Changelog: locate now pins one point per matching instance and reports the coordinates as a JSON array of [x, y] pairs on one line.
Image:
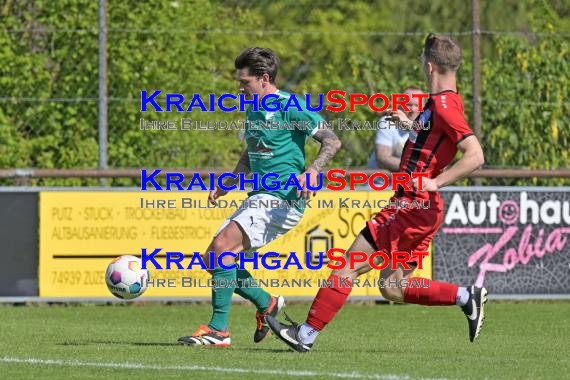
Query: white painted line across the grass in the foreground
[[77, 363]]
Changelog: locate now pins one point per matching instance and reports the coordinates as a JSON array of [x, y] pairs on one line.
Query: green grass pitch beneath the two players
[[519, 340]]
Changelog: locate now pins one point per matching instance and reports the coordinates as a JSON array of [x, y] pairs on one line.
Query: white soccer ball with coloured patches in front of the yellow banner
[[125, 277]]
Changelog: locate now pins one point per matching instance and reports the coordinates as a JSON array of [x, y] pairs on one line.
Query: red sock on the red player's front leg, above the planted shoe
[[328, 302]]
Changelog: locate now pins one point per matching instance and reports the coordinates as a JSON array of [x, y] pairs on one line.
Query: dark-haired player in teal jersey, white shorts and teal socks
[[269, 150]]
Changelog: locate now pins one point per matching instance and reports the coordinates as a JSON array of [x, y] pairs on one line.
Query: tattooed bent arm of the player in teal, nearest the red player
[[330, 145]]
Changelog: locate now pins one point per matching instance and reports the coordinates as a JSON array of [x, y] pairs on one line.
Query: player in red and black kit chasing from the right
[[428, 151]]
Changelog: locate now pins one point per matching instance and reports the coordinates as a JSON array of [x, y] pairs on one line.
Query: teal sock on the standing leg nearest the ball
[[222, 298]]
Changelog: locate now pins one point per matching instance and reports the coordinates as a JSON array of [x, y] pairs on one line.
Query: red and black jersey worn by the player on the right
[[431, 149]]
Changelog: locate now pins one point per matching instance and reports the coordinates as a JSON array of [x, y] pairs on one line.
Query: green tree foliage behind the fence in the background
[[49, 55]]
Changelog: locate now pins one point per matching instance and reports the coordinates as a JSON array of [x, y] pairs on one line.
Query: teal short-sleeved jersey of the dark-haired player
[[280, 148]]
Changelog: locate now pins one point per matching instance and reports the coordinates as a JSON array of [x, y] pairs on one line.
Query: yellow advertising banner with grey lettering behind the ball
[[82, 232]]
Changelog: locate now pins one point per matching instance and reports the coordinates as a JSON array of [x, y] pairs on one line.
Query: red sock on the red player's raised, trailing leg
[[436, 294]]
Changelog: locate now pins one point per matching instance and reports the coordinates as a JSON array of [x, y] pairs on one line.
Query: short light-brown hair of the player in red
[[442, 51]]
